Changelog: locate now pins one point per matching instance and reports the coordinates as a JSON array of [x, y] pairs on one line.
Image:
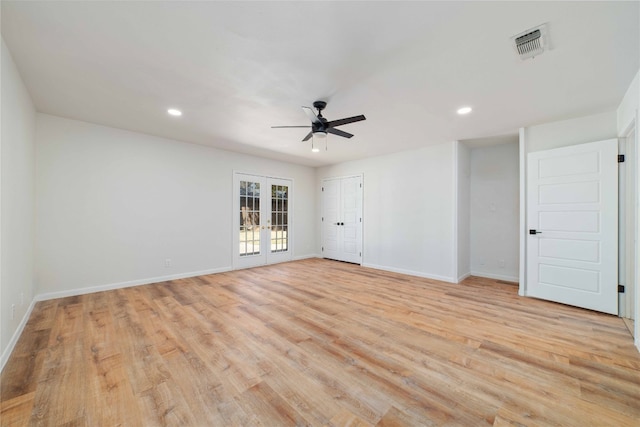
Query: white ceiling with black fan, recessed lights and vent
[[237, 68]]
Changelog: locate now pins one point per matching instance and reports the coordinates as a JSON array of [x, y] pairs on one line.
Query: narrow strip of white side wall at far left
[[17, 203]]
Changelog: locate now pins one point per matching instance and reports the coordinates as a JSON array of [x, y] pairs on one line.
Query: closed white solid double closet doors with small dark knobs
[[342, 219]]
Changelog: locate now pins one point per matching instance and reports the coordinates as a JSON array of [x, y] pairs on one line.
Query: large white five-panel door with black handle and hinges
[[572, 214]]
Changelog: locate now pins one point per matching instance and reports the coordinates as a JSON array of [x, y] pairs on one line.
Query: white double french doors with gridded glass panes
[[262, 220]]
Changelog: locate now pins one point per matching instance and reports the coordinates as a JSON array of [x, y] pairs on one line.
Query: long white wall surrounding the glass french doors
[[112, 205]]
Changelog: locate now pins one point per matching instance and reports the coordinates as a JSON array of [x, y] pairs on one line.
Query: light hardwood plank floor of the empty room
[[320, 342]]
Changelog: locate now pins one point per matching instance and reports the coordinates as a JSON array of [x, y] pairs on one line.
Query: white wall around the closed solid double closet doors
[[409, 204]]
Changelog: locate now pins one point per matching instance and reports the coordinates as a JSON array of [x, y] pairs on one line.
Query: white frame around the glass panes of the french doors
[[290, 231]]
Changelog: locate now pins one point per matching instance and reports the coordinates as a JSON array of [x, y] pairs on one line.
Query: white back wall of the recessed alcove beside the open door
[[495, 212]]
